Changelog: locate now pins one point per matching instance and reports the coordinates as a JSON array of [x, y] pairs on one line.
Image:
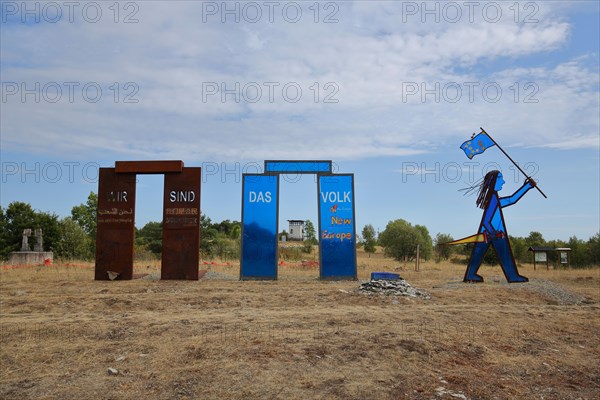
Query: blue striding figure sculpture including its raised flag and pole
[[492, 228]]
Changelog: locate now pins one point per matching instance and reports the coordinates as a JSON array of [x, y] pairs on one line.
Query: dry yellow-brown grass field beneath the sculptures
[[299, 338]]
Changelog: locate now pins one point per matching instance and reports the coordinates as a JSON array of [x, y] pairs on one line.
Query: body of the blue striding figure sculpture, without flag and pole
[[493, 228]]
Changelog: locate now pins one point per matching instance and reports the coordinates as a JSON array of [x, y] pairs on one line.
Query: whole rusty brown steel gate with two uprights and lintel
[[116, 219]]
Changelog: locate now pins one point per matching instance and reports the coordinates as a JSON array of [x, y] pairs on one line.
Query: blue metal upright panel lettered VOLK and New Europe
[[337, 233]]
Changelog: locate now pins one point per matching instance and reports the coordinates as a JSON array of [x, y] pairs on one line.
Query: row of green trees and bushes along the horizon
[[74, 237]]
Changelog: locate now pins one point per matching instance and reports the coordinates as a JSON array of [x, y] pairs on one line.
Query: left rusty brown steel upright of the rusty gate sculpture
[[115, 224]]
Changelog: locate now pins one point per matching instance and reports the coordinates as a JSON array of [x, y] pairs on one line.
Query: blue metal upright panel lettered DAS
[[260, 205]]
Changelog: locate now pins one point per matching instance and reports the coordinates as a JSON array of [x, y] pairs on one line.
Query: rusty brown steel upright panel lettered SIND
[[181, 225]]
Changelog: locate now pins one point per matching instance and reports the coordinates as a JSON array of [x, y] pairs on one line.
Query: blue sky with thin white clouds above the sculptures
[[386, 90]]
